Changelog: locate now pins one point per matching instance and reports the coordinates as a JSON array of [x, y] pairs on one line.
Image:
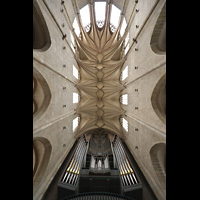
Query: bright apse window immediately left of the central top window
[[85, 17]]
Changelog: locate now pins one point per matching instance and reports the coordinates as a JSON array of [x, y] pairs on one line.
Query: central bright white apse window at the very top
[[100, 13]]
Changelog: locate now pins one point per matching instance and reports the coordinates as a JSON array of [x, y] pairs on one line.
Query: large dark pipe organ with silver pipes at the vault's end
[[99, 164]]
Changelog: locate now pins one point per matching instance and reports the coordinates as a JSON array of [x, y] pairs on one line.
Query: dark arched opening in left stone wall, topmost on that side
[[41, 37]]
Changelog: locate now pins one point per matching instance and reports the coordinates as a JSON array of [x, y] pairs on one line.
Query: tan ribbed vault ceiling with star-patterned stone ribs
[[99, 53]]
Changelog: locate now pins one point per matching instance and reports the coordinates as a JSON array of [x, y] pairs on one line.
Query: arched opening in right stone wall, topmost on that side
[[158, 39]]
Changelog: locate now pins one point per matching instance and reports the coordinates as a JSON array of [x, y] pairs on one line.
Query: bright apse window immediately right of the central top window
[[114, 18]]
